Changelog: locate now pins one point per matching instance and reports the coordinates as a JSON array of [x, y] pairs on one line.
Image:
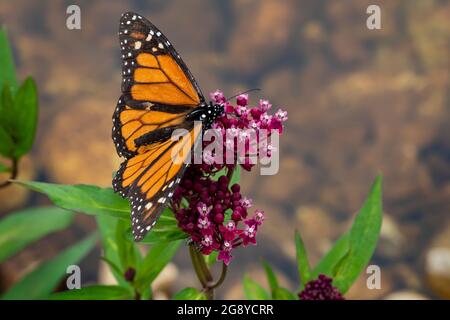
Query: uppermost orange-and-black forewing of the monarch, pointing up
[[152, 71]]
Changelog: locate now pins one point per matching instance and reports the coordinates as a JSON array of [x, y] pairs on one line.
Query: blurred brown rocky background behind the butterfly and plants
[[360, 102]]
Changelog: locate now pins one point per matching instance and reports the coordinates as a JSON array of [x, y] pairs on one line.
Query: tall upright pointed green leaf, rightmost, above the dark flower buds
[[363, 237]]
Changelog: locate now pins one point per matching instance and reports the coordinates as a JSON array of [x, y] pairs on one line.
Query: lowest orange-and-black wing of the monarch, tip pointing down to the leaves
[[148, 180]]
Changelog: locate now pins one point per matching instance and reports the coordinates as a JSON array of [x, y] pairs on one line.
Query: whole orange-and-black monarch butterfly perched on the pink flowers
[[159, 95]]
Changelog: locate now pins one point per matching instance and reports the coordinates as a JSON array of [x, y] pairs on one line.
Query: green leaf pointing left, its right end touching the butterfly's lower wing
[[83, 198]]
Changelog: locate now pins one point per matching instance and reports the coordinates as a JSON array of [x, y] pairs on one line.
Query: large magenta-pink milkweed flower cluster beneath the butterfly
[[207, 205]]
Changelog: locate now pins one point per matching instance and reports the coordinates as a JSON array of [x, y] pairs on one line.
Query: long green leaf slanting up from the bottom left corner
[[40, 282]]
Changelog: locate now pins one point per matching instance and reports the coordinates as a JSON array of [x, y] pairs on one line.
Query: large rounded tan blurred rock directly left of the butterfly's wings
[[84, 126]]
